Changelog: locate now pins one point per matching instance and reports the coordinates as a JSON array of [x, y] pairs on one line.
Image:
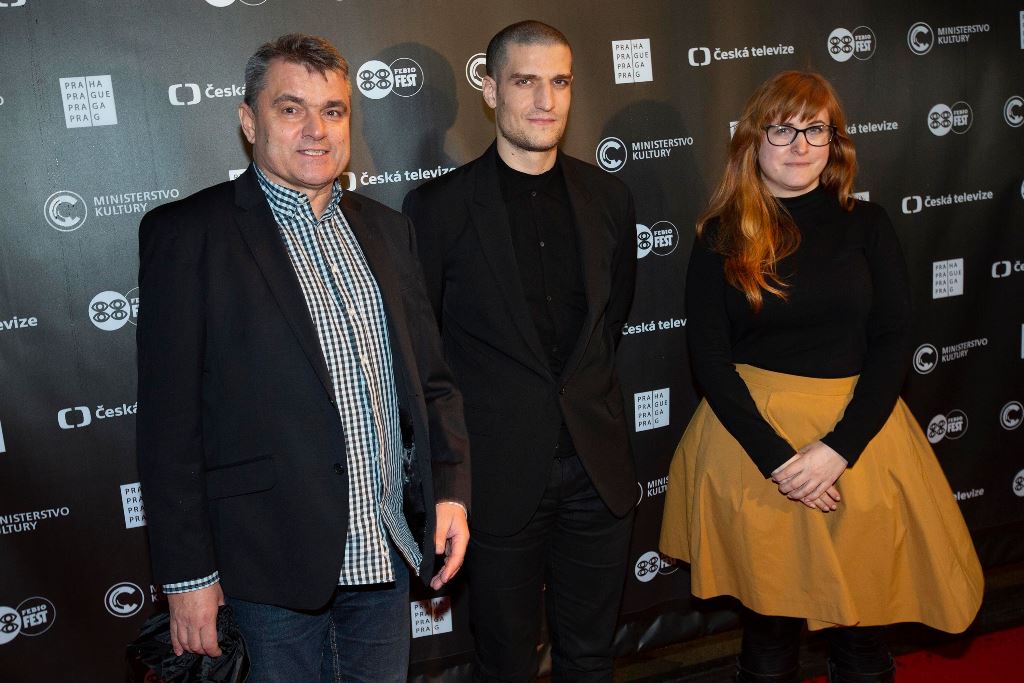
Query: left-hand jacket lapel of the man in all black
[[490, 218]]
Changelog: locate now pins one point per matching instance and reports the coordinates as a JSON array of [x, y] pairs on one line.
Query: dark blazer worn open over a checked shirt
[[241, 450]]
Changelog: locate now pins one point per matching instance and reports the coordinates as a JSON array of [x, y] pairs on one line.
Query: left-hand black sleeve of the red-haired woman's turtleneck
[[708, 334]]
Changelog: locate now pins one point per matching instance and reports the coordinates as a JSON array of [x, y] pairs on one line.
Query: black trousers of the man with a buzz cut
[[573, 554]]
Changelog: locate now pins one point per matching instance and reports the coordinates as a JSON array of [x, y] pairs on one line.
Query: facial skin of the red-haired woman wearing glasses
[[795, 169]]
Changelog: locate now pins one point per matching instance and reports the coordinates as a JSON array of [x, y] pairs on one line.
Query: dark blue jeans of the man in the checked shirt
[[363, 634]]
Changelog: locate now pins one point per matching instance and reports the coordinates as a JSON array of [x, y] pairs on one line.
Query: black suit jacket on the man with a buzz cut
[[515, 405]]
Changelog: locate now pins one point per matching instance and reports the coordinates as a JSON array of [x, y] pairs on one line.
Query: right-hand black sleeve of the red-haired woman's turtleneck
[[888, 338]]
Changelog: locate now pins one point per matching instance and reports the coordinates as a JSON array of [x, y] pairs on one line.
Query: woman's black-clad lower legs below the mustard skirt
[[772, 647]]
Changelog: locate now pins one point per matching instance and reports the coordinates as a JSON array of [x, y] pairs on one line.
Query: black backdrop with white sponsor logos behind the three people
[[109, 109]]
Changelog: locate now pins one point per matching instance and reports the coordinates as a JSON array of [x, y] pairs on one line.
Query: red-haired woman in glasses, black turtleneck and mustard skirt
[[803, 485]]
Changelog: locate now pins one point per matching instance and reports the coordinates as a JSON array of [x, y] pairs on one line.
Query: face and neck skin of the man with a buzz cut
[[531, 98]]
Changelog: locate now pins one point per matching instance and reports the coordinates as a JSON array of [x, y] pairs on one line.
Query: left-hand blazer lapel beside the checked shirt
[[261, 233]]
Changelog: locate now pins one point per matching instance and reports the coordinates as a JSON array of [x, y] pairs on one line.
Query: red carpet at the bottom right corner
[[994, 658]]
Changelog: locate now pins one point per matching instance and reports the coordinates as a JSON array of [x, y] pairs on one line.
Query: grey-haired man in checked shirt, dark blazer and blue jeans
[[302, 444]]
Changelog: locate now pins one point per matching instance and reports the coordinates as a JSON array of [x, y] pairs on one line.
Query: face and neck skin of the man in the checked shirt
[[300, 131]]
